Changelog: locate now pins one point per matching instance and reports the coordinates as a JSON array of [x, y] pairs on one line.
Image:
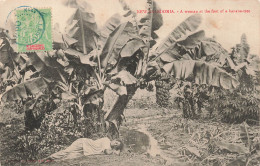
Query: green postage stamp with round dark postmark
[[34, 29]]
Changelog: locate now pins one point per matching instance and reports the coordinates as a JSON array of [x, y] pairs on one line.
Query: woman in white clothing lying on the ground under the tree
[[86, 147]]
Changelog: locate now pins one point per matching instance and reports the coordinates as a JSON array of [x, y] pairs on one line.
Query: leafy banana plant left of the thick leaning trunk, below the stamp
[[82, 64]]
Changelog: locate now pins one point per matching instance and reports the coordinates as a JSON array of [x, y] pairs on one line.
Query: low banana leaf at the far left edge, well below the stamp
[[25, 89]]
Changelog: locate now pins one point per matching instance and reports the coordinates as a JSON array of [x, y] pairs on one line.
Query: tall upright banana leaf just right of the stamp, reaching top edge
[[82, 26]]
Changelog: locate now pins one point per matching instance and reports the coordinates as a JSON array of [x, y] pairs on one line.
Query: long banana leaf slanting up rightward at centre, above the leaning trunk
[[117, 39]]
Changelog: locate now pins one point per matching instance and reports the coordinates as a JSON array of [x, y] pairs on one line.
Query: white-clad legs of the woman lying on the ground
[[73, 151]]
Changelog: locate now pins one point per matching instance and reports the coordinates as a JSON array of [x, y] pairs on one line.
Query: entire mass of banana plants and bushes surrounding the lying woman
[[62, 91]]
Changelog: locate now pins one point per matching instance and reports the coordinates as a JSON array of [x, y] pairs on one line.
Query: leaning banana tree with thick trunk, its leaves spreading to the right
[[170, 58]]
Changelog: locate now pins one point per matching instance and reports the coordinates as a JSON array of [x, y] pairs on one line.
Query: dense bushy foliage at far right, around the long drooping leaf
[[231, 106]]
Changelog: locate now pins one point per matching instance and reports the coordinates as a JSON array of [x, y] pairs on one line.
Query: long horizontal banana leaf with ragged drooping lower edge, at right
[[202, 73]]
